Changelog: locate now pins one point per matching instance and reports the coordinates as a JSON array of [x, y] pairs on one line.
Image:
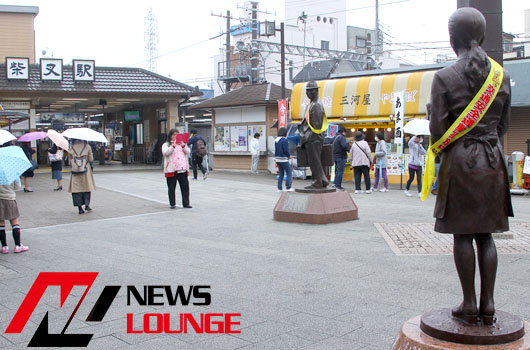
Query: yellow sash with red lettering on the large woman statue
[[467, 120]]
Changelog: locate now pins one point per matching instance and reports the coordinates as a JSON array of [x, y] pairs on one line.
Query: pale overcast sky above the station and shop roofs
[[112, 32]]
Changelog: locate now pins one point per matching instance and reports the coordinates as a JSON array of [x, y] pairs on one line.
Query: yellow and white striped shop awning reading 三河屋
[[366, 96]]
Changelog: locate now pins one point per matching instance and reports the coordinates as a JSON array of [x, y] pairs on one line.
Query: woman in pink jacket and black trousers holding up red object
[[176, 168]]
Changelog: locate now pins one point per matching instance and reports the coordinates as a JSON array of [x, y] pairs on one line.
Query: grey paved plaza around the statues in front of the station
[[338, 286]]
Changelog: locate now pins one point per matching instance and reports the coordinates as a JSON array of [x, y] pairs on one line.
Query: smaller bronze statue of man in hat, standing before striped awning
[[312, 136]]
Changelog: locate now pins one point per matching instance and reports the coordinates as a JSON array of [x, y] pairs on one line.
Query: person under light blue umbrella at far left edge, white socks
[[8, 204]]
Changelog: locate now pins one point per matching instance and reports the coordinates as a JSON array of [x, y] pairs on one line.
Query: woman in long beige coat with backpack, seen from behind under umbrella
[[82, 180]]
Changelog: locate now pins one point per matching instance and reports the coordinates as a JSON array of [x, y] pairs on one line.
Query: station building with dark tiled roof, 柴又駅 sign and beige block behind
[[133, 107]]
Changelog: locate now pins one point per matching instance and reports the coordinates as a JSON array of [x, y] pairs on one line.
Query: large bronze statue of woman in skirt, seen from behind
[[473, 192]]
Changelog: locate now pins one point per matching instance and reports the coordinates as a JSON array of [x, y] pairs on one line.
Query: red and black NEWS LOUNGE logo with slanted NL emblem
[[150, 295]]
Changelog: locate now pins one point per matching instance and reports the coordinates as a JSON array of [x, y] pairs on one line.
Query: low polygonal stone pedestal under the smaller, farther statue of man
[[315, 207]]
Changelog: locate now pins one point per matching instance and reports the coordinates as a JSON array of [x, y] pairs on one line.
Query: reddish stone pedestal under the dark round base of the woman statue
[[412, 337]]
